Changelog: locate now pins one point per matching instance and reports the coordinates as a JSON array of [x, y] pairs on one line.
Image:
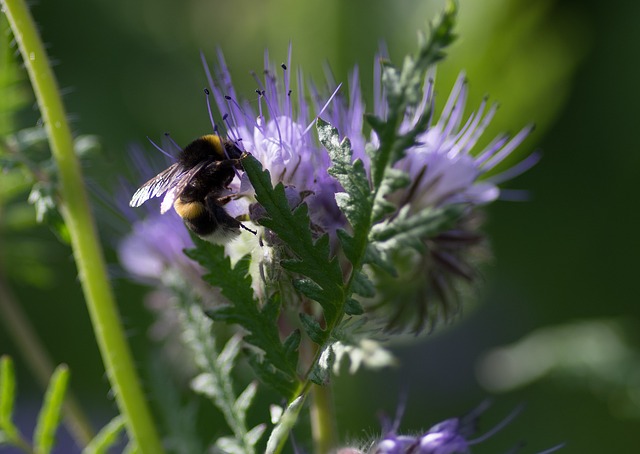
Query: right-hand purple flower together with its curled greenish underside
[[444, 167]]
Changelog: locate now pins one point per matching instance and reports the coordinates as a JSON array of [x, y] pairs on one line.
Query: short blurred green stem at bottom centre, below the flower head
[[323, 420]]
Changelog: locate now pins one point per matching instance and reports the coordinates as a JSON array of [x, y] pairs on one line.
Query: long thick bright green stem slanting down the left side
[[86, 248]]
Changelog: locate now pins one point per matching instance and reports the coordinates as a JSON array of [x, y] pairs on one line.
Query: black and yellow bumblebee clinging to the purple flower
[[197, 188]]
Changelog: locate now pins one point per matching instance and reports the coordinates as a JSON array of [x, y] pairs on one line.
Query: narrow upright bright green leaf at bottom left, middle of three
[[49, 416]]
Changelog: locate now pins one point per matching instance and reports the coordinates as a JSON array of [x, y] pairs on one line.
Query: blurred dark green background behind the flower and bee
[[132, 69]]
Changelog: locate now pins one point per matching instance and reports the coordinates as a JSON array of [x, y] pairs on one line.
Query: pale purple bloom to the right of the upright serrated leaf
[[444, 167]]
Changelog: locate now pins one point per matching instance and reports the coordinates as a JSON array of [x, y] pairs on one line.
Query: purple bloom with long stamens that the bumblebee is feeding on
[[279, 134]]
